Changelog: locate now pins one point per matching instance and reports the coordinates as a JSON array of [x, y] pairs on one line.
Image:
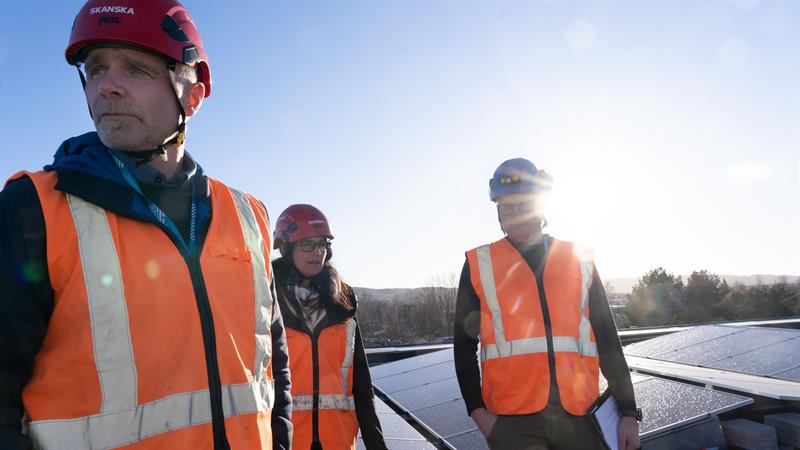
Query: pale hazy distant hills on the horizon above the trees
[[621, 286]]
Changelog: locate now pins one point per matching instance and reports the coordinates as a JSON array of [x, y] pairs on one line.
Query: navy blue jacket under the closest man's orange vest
[[86, 169]]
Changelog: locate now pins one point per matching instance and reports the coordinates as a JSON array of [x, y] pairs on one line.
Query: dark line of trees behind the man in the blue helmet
[[658, 298]]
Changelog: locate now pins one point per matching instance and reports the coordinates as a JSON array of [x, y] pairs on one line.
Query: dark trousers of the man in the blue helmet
[[550, 429]]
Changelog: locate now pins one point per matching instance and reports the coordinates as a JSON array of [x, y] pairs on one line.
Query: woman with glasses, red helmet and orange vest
[[331, 387]]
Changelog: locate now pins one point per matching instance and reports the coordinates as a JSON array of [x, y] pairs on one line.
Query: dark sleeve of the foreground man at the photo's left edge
[[26, 302]]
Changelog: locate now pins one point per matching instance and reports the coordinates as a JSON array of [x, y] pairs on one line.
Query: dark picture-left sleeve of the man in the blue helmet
[[466, 327]]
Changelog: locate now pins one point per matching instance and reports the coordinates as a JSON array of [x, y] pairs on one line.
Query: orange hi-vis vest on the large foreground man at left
[[123, 363]]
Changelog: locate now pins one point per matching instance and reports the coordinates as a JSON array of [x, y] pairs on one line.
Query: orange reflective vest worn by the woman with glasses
[[333, 358]]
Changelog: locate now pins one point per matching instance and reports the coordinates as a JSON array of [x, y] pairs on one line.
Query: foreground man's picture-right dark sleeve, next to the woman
[[282, 411]]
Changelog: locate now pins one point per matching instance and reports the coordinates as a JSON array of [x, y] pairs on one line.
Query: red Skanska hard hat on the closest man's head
[[160, 26]]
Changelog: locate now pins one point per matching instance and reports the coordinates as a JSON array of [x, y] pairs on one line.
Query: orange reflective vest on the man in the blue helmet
[[514, 348]]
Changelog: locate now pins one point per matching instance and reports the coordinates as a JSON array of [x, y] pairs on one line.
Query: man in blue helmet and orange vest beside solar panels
[[538, 309]]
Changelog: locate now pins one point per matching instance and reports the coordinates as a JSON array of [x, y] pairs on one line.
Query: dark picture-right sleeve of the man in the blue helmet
[[612, 360]]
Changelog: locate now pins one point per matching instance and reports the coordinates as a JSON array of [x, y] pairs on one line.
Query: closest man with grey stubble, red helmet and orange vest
[[136, 308]]
